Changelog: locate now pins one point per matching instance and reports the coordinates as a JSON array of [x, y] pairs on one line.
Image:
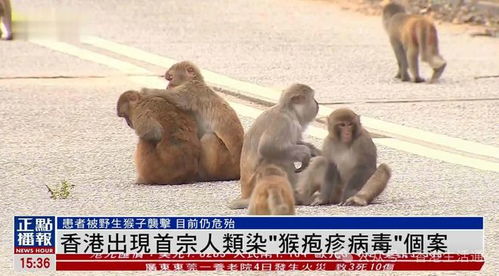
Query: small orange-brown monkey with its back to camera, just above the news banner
[[273, 194]]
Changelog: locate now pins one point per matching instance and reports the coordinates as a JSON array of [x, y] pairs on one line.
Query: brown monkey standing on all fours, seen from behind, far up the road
[[411, 36]]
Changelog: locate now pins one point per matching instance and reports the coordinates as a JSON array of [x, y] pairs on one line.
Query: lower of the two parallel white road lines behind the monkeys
[[251, 112]]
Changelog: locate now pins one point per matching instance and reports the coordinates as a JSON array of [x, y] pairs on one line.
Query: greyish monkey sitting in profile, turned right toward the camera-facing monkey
[[276, 138]]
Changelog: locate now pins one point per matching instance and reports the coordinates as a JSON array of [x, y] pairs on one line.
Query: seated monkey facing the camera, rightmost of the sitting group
[[346, 173]]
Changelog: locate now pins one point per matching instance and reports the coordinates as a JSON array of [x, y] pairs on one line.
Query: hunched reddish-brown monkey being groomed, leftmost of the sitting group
[[168, 150]]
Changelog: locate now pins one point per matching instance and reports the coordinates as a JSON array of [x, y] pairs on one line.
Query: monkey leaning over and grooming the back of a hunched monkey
[[220, 130]]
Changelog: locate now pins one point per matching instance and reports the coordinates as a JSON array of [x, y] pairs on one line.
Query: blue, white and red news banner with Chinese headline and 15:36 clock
[[247, 243]]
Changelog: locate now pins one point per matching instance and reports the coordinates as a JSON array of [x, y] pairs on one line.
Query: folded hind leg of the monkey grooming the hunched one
[[216, 162]]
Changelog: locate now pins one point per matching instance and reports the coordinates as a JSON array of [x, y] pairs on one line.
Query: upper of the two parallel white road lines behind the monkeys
[[271, 95]]
